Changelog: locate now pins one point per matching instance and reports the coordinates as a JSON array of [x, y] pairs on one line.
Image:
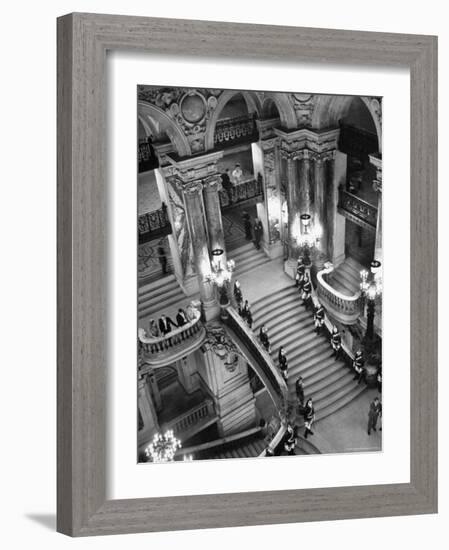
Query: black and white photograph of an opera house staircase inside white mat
[[259, 274]]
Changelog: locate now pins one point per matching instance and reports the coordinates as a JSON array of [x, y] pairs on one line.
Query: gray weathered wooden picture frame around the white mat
[[83, 40]]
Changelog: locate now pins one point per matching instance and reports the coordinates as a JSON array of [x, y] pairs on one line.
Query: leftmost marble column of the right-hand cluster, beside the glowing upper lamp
[[294, 212]]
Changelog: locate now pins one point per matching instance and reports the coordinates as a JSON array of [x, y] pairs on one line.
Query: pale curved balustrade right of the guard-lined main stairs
[[346, 309]]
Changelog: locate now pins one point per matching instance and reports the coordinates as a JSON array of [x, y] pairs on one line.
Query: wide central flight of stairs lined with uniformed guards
[[330, 383]]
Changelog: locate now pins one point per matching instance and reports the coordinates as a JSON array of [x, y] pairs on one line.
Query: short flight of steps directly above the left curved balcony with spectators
[[157, 296]]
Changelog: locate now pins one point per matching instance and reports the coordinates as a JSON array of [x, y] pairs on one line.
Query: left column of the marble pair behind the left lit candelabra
[[194, 209]]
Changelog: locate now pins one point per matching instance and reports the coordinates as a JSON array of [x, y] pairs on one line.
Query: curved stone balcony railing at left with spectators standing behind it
[[158, 352]]
